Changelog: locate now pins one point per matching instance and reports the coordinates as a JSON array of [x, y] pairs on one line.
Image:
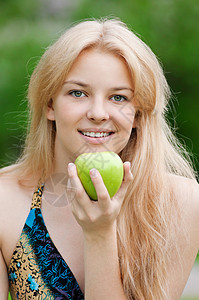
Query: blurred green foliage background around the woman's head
[[169, 27]]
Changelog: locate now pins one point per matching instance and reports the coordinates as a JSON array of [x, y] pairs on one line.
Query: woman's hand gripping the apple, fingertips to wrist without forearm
[[96, 217]]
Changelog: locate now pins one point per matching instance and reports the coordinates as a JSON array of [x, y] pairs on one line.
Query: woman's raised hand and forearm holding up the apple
[[98, 221]]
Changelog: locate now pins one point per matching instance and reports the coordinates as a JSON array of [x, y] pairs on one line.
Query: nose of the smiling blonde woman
[[97, 110]]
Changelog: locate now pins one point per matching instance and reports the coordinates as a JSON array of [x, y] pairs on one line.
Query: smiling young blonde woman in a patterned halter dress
[[98, 88]]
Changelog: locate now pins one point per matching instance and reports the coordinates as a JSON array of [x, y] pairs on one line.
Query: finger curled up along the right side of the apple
[[128, 177]]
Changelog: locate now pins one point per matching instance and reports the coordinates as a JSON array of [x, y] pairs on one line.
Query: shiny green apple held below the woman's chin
[[109, 165]]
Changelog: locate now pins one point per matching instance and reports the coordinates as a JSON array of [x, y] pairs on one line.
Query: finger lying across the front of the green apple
[[101, 190]]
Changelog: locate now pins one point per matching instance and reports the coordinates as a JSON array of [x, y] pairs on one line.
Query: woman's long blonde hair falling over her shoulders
[[146, 219]]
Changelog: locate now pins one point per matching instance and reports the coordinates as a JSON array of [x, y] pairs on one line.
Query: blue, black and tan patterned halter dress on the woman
[[37, 270]]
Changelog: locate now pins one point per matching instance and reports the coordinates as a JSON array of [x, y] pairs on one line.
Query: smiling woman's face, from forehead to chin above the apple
[[93, 110]]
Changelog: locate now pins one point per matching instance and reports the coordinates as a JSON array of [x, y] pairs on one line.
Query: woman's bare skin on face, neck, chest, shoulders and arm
[[89, 228]]
